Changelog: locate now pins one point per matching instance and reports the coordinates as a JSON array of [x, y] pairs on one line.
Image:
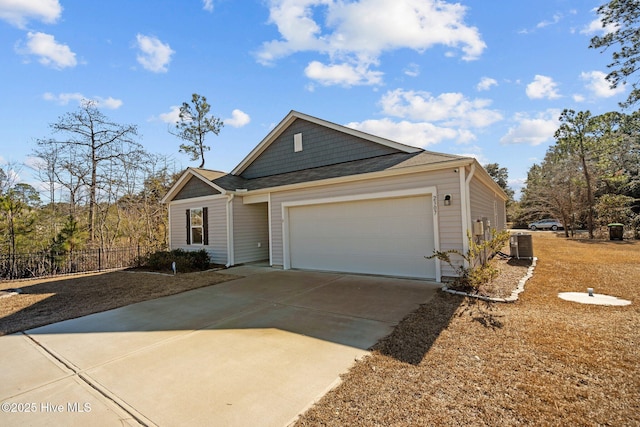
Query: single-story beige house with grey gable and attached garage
[[316, 195]]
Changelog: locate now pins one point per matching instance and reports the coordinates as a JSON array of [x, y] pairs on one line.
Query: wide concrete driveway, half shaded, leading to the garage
[[254, 351]]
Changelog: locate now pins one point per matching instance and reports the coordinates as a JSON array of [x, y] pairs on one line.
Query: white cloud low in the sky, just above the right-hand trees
[[532, 130]]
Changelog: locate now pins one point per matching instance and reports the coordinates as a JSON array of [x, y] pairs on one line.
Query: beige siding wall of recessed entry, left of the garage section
[[250, 228]]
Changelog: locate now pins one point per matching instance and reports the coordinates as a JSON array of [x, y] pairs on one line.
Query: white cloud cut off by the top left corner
[[19, 12]]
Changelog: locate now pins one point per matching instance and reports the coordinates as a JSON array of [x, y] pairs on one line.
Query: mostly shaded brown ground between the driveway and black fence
[[45, 301]]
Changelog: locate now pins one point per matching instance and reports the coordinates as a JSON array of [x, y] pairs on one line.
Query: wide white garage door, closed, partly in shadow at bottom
[[377, 236]]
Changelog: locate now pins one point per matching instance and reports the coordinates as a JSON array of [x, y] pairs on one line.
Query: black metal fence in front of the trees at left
[[43, 264]]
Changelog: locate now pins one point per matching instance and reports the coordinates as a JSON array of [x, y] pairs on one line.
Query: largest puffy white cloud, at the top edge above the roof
[[358, 32]]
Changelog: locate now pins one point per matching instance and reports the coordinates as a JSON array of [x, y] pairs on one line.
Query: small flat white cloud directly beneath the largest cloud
[[342, 74]]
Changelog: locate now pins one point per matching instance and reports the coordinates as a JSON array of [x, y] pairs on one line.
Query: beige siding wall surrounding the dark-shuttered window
[[217, 216]]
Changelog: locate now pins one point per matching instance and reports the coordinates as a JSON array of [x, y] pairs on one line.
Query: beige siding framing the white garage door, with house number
[[446, 182]]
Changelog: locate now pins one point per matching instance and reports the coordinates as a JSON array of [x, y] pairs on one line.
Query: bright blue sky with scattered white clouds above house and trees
[[478, 78]]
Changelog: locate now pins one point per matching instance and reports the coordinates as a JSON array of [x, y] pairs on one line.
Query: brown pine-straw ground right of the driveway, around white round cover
[[539, 361]]
